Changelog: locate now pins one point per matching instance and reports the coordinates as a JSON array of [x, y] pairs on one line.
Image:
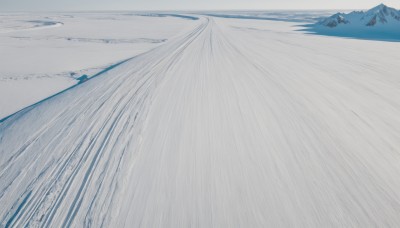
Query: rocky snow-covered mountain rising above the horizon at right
[[377, 16]]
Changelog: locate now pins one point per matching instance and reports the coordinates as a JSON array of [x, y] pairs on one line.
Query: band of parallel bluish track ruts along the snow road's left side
[[124, 111]]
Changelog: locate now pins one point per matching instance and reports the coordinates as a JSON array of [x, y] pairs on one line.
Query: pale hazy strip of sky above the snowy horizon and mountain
[[46, 5]]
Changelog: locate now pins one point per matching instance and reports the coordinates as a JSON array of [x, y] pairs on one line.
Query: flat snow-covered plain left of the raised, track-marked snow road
[[41, 54]]
